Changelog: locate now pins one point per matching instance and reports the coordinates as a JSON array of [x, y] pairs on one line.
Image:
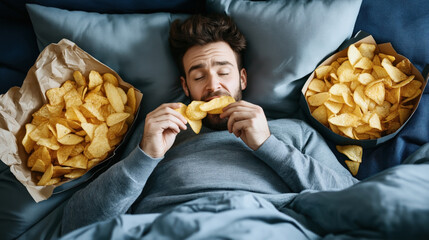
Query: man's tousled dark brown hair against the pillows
[[201, 30]]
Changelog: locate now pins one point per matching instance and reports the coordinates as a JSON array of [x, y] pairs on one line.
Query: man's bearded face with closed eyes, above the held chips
[[211, 71]]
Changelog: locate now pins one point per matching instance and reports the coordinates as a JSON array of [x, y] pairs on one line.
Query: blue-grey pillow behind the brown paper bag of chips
[[134, 45]]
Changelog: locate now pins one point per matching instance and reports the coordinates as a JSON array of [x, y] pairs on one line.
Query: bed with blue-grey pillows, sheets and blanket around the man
[[390, 203]]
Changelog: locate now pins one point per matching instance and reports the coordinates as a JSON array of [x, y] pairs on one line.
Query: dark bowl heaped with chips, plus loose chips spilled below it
[[362, 96]]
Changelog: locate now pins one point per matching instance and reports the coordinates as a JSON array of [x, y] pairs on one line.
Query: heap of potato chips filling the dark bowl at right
[[363, 95]]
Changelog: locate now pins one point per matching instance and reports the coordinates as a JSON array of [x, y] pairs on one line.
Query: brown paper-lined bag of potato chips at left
[[71, 114]]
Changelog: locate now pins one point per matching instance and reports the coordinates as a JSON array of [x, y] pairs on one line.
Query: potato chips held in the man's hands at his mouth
[[197, 110]]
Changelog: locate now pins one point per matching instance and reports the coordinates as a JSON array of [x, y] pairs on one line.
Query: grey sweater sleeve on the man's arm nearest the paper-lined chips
[[111, 194]]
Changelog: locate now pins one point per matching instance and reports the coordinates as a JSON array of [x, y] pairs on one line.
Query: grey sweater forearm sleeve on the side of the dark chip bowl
[[309, 165]]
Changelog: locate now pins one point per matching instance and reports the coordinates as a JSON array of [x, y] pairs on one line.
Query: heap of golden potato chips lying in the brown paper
[[82, 123]]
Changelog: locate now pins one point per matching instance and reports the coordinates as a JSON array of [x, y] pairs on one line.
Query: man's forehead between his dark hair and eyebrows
[[209, 53]]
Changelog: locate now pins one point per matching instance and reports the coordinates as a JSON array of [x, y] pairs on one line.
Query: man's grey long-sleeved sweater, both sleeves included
[[294, 158]]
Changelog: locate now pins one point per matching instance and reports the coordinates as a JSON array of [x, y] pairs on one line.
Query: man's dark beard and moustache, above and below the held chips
[[213, 121]]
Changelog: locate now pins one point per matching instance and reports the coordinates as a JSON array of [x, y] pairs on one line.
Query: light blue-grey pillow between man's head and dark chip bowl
[[286, 41]]
